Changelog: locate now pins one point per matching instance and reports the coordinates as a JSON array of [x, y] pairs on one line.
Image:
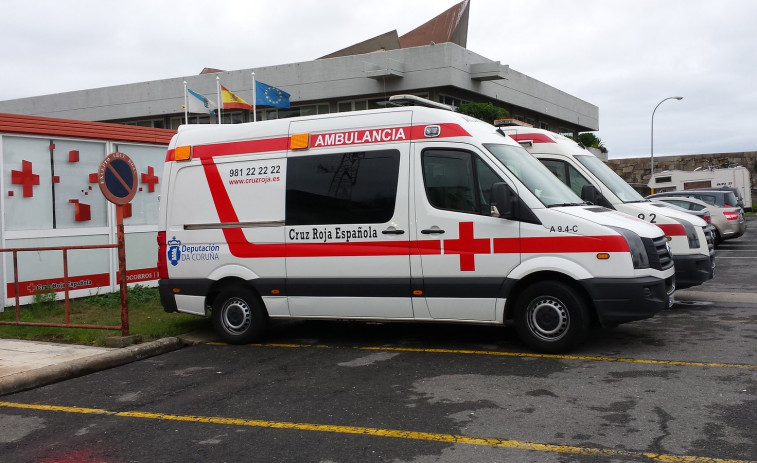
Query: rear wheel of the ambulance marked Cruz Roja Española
[[239, 316]]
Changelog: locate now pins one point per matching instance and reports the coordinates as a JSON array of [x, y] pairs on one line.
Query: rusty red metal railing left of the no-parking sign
[[123, 327]]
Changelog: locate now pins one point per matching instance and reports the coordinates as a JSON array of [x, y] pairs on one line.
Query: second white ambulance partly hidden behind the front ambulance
[[589, 177]]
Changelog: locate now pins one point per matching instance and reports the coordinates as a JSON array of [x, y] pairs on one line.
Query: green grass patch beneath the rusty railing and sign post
[[146, 318]]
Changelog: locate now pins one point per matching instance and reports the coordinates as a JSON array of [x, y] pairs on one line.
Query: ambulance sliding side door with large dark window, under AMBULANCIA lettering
[[347, 223]]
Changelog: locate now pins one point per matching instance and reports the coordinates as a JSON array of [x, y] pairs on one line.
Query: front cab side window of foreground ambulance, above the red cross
[[457, 181]]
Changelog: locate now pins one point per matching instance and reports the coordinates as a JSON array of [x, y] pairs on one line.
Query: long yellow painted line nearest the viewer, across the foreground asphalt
[[378, 432]]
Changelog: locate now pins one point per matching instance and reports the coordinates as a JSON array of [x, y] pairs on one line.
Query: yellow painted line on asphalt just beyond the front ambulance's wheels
[[524, 355]]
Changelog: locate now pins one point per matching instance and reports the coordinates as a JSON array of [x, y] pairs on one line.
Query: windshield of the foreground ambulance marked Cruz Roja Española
[[534, 176]]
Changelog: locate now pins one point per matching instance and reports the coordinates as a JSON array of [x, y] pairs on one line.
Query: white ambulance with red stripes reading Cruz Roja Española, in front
[[404, 214]]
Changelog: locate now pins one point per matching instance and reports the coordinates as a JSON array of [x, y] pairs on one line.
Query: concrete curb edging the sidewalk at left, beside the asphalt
[[84, 366]]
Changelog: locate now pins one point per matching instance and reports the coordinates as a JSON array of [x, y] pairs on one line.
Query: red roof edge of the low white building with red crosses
[[35, 125]]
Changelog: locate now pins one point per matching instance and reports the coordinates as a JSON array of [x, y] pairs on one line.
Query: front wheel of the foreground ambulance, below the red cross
[[550, 317]]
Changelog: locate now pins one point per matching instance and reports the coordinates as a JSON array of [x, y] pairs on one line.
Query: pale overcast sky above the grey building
[[624, 56]]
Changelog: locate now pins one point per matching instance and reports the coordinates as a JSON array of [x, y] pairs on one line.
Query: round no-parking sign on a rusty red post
[[117, 176]]
